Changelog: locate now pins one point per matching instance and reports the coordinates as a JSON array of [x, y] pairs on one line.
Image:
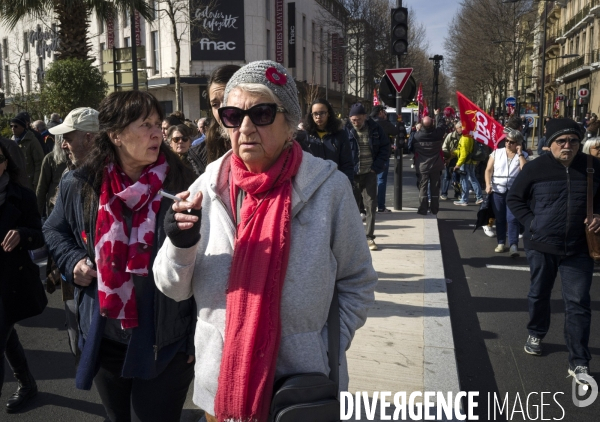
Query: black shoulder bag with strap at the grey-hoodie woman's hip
[[312, 396]]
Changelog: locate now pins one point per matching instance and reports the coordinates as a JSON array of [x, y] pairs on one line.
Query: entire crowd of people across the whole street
[[180, 247]]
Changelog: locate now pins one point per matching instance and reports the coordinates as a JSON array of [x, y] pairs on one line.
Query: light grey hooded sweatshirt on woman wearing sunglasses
[[328, 248]]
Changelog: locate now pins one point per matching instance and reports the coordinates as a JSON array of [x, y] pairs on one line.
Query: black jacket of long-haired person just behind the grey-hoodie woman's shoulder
[[333, 146]]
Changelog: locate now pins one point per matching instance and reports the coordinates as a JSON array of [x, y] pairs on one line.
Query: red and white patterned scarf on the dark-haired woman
[[119, 254]]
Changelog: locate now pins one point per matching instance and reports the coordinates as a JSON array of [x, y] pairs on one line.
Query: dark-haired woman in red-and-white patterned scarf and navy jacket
[[107, 225]]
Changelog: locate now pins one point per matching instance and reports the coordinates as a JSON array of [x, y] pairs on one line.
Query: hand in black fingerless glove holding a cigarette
[[182, 220]]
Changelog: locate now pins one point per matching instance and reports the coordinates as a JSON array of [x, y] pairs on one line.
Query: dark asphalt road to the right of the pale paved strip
[[489, 317]]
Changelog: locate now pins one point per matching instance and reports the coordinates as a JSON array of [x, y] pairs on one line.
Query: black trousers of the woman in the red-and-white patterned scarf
[[159, 399]]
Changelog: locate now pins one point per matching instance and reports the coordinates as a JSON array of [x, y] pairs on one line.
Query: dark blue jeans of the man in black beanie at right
[[576, 275]]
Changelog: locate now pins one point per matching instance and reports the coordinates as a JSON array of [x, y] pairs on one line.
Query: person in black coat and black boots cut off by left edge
[[20, 231]]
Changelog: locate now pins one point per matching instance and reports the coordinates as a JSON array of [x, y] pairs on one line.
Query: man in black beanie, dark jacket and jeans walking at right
[[549, 198]]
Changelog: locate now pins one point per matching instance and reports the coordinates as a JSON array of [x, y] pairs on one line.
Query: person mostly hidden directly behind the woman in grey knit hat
[[217, 144]]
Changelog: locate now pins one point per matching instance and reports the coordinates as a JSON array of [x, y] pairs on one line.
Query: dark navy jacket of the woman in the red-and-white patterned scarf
[[63, 230]]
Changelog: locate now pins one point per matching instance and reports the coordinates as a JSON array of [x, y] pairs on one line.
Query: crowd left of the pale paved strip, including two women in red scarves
[[151, 285]]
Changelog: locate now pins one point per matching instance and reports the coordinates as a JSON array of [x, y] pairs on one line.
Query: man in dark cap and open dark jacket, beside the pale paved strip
[[370, 151]]
